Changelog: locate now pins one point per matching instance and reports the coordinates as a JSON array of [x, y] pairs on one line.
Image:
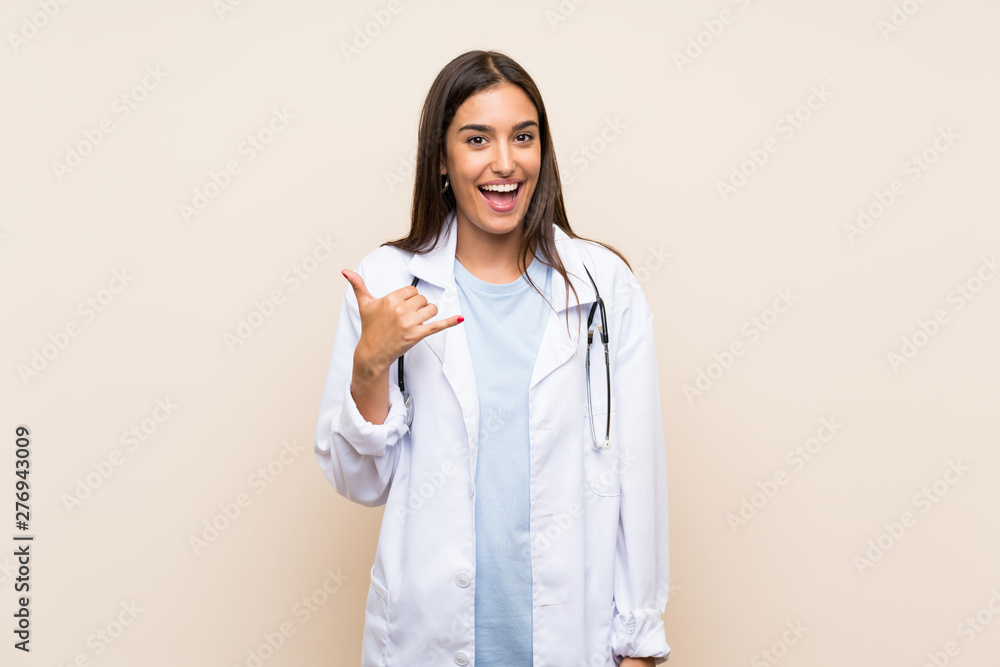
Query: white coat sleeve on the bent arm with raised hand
[[358, 457]]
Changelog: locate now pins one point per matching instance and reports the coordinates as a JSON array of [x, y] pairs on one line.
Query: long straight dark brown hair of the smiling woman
[[466, 75]]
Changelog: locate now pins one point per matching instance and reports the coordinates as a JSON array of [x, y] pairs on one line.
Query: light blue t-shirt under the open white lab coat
[[504, 326]]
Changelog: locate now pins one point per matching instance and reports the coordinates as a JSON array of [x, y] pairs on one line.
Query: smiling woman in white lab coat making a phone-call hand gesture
[[519, 455]]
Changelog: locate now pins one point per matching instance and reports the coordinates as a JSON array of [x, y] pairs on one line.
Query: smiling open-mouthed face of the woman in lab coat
[[493, 140]]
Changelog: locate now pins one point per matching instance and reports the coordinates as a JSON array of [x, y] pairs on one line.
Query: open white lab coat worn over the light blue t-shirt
[[598, 519]]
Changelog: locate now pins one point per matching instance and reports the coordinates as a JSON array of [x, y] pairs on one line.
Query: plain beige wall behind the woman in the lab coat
[[338, 171]]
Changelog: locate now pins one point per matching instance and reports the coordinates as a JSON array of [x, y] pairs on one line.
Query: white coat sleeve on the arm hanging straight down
[[641, 579]]
